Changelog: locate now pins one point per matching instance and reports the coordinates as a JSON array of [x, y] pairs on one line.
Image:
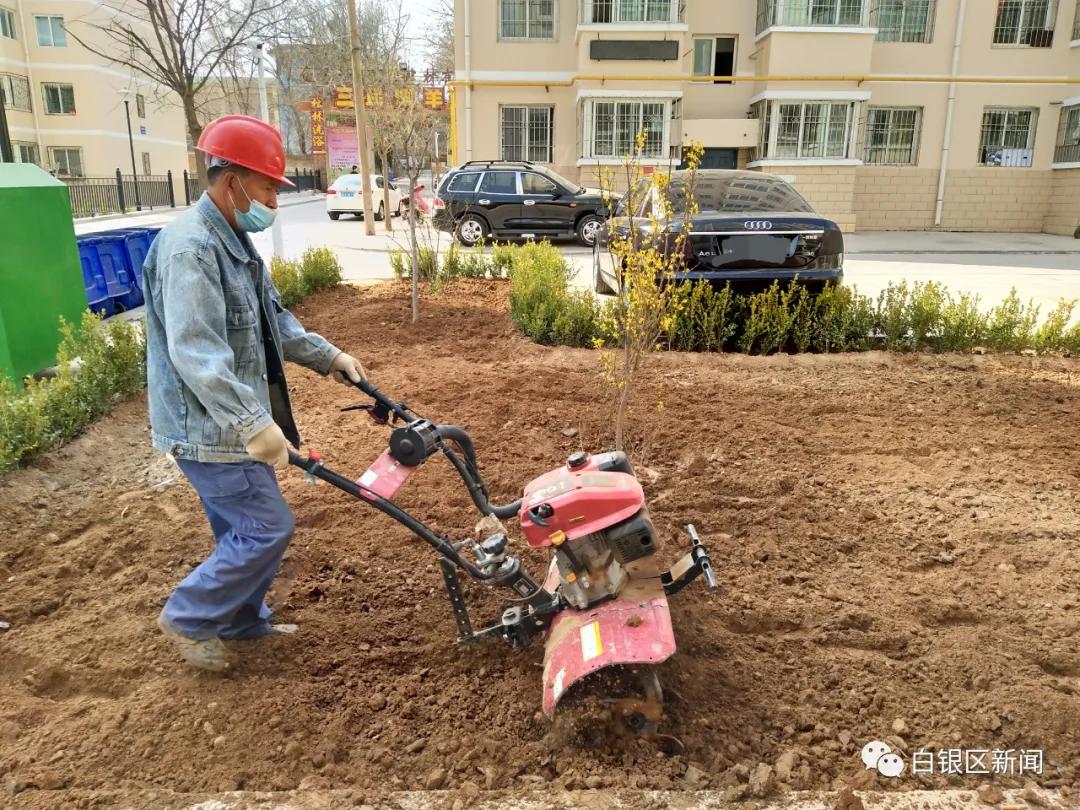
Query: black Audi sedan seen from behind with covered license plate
[[750, 231]]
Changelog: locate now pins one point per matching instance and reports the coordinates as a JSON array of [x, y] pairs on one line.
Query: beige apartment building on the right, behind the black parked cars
[[901, 115]]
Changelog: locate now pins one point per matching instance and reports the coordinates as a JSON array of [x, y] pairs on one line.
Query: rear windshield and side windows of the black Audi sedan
[[726, 195]]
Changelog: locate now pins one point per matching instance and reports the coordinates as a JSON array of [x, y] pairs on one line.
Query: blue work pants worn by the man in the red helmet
[[252, 525]]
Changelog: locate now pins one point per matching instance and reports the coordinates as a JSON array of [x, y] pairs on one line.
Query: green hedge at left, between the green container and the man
[[98, 367]]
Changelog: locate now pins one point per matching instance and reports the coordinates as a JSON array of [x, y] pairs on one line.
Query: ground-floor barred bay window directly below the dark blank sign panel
[[613, 128]]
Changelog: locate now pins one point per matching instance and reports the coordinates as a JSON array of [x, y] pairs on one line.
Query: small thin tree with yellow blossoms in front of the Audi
[[647, 250]]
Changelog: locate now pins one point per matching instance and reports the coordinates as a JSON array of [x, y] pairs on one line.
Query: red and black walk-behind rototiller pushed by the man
[[604, 601]]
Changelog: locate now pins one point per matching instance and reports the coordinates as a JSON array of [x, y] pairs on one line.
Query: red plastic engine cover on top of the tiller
[[585, 501]]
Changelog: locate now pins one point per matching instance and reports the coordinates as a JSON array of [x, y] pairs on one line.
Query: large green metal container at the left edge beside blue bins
[[40, 273]]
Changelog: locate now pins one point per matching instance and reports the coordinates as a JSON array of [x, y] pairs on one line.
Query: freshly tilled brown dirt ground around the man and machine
[[897, 539]]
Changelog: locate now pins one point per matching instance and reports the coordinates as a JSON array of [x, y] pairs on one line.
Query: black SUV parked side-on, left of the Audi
[[503, 199]]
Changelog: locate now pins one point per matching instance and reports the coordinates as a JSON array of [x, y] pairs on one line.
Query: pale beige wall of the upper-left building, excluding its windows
[[99, 127]]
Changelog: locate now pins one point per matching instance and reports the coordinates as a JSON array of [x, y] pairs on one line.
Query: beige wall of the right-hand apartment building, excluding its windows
[[870, 197]]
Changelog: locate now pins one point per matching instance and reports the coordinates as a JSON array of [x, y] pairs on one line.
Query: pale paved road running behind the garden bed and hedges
[[1042, 267]]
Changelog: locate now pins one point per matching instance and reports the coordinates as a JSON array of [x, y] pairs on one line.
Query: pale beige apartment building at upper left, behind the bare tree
[[65, 106]]
